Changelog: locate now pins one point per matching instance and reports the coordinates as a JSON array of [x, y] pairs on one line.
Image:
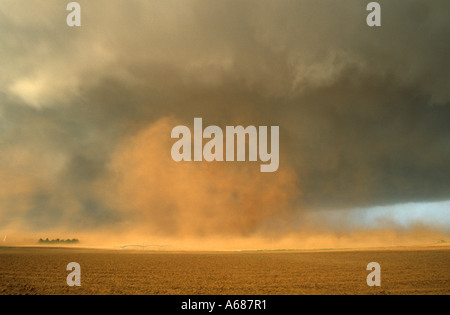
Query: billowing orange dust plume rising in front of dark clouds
[[192, 199]]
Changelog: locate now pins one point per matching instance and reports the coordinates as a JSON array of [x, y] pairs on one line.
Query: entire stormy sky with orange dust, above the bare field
[[86, 115]]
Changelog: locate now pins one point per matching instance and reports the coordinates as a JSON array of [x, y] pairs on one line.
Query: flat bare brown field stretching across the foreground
[[412, 270]]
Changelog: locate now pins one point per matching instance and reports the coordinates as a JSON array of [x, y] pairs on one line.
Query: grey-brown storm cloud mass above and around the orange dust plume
[[363, 112]]
